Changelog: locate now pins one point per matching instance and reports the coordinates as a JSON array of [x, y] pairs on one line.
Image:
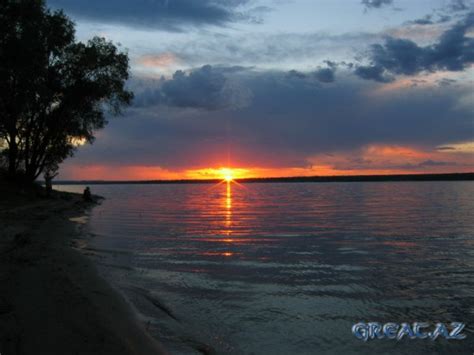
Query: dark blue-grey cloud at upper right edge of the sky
[[454, 51]]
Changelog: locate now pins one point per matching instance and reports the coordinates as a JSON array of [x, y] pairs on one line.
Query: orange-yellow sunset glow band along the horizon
[[373, 159]]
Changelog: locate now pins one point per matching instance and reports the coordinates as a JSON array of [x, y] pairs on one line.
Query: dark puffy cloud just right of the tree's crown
[[206, 88]]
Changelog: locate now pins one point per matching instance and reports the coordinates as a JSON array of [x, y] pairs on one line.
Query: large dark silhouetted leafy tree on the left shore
[[54, 91]]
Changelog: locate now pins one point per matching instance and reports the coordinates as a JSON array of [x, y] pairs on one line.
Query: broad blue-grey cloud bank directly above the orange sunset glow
[[287, 121]]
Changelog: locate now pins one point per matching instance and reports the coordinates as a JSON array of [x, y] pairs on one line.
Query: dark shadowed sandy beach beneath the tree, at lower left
[[52, 300]]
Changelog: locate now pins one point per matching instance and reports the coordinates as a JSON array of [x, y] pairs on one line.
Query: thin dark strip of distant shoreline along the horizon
[[295, 179]]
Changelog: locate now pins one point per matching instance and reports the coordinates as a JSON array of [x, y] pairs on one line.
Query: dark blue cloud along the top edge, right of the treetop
[[171, 15]]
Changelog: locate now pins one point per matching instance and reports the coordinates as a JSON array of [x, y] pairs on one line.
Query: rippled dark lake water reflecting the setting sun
[[288, 268]]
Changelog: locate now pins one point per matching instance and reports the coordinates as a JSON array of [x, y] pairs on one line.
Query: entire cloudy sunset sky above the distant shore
[[284, 87]]
